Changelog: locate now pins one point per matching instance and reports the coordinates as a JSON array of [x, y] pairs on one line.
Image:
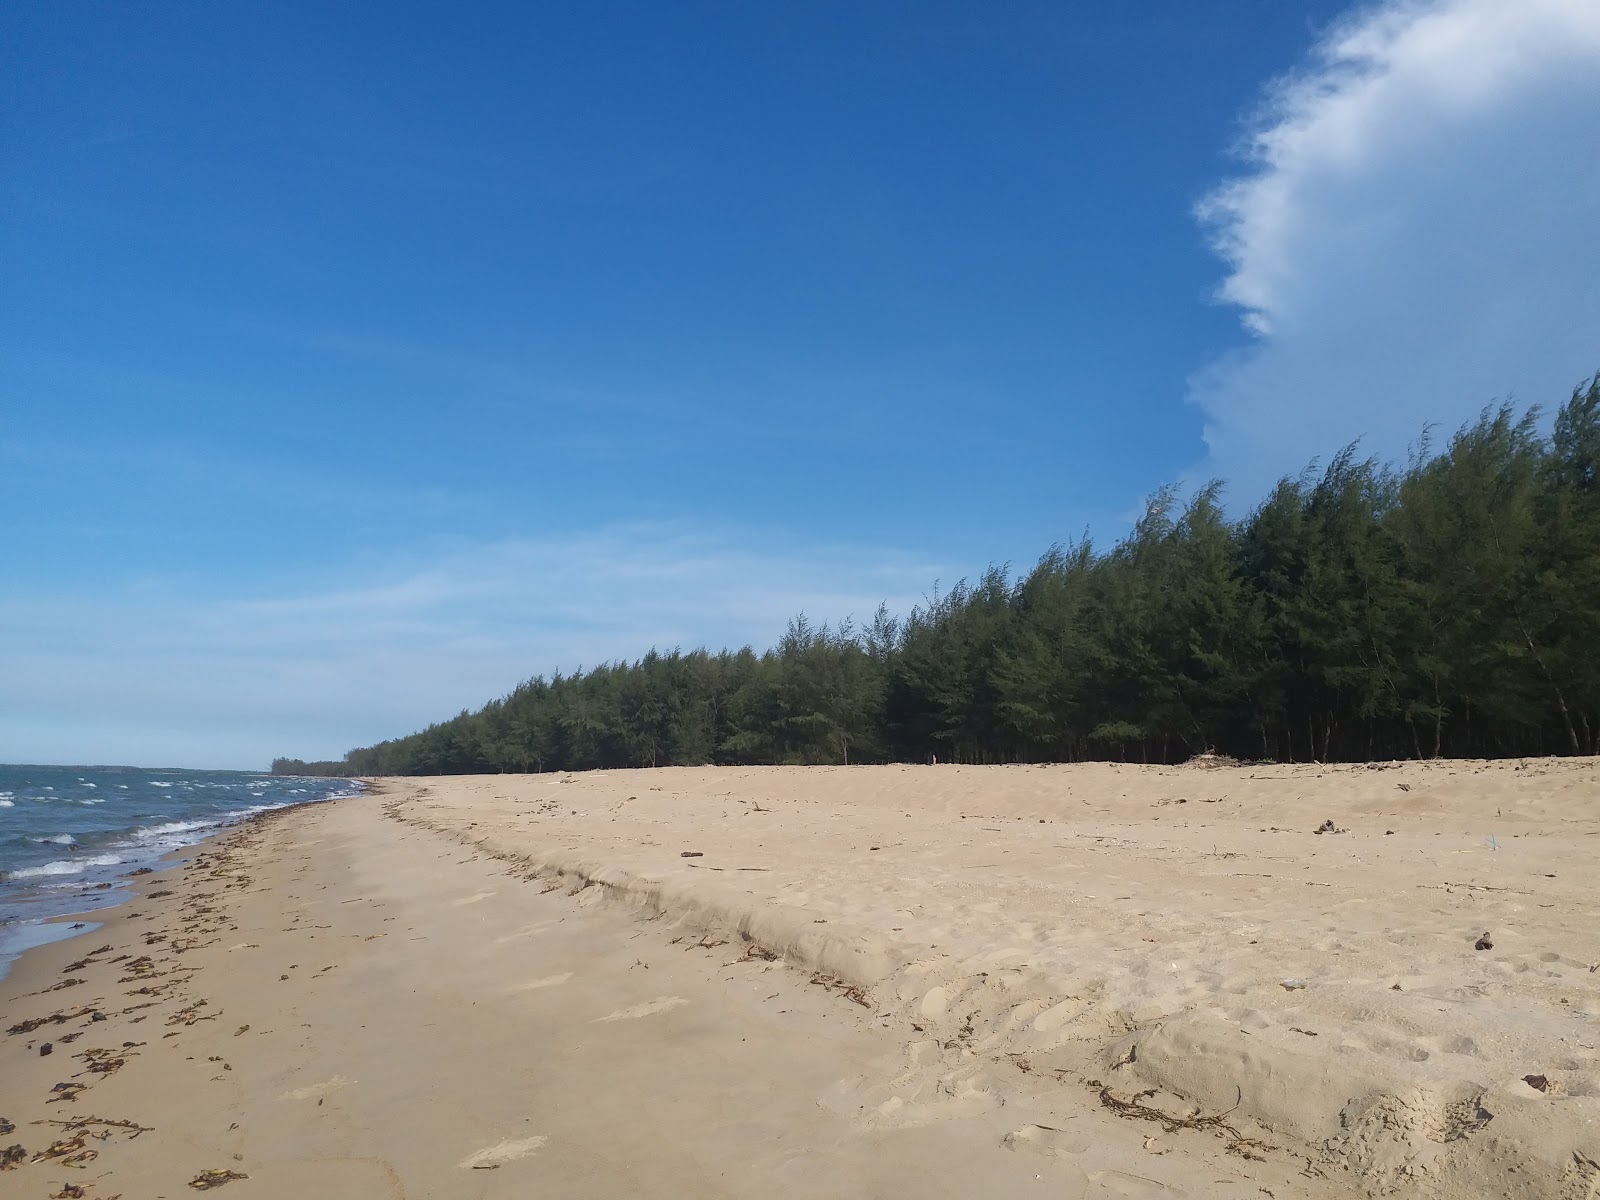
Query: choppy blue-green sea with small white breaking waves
[[73, 836]]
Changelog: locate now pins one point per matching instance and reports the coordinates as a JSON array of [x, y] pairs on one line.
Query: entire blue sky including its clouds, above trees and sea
[[358, 362]]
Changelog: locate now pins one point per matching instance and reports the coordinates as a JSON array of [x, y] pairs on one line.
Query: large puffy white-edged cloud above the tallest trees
[[1417, 234]]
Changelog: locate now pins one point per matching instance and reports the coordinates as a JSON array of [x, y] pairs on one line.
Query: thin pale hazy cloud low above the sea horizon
[[153, 676]]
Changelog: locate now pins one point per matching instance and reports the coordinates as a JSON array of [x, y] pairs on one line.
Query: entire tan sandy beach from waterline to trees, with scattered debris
[[879, 982]]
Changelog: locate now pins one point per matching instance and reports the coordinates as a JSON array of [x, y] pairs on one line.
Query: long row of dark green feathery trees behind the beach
[[1361, 612]]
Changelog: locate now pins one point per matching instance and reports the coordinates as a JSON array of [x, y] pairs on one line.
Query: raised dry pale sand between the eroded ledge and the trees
[[1377, 994]]
